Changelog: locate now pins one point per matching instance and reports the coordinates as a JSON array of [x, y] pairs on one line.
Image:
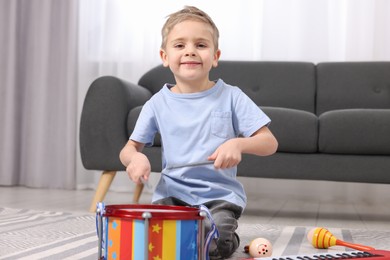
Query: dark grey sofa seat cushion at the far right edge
[[355, 131]]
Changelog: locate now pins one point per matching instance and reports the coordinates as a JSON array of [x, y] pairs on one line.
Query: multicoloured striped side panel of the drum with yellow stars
[[167, 239]]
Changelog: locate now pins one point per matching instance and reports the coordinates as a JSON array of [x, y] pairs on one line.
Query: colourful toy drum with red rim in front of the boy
[[150, 232]]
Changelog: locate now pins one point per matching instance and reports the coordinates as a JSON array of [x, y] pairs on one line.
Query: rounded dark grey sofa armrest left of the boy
[[103, 123]]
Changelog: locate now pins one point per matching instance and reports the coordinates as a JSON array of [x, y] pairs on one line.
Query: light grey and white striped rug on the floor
[[31, 234]]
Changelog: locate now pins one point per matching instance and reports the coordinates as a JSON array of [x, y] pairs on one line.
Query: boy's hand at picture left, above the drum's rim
[[139, 167]]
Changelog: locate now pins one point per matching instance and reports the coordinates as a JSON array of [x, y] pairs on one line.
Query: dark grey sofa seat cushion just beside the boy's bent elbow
[[295, 130]]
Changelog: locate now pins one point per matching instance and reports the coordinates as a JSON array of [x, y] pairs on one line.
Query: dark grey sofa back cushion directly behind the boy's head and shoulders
[[272, 84]]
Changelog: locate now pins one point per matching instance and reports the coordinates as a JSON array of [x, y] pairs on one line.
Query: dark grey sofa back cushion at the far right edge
[[348, 85]]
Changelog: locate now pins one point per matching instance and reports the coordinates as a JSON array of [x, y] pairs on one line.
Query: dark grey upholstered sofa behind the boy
[[332, 120]]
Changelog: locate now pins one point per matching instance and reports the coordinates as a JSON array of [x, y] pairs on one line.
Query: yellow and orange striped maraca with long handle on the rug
[[322, 238]]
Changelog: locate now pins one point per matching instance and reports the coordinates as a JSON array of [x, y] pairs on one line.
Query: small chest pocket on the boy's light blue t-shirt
[[222, 124]]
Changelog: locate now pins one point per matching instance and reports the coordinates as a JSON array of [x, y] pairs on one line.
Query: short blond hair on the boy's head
[[188, 13]]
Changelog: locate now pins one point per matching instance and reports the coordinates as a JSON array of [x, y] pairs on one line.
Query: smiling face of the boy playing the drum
[[190, 52]]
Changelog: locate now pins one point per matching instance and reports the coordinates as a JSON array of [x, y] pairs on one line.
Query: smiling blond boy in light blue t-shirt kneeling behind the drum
[[199, 121]]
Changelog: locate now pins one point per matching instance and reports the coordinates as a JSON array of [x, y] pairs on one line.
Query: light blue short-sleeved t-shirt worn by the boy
[[192, 127]]
